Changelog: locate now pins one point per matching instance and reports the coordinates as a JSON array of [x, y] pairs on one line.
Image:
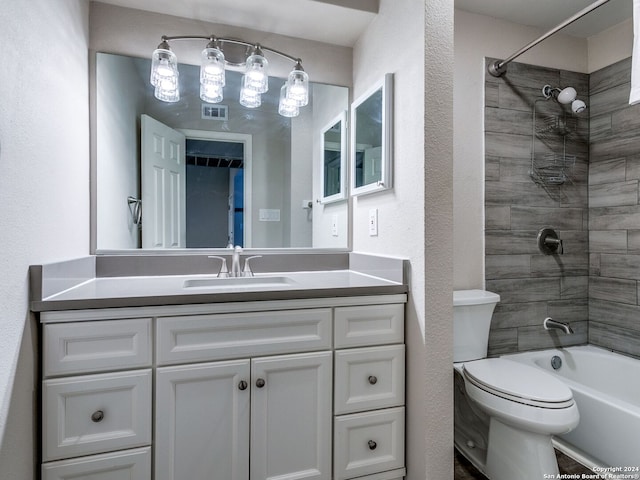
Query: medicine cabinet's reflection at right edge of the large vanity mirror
[[333, 151]]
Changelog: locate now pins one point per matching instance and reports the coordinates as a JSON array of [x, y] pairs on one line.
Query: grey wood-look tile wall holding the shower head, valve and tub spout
[[531, 285]]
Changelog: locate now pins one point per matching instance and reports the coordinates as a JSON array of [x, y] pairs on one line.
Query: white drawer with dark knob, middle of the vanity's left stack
[[96, 413]]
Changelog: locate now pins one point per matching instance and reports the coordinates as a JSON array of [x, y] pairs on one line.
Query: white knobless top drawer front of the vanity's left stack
[[85, 347]]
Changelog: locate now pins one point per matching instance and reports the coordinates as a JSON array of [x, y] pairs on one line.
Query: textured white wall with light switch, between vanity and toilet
[[414, 40]]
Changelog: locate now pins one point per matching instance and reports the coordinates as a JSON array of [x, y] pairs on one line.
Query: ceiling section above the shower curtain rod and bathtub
[[546, 14]]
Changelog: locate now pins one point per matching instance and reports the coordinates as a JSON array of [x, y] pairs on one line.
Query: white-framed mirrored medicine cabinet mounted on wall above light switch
[[371, 139]]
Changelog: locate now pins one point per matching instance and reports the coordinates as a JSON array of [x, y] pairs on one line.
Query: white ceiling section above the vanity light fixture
[[296, 18]]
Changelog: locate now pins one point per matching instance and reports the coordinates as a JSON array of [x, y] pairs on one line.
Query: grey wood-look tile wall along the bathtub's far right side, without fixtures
[[614, 213]]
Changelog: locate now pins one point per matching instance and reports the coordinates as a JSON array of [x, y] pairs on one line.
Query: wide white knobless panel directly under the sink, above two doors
[[226, 336]]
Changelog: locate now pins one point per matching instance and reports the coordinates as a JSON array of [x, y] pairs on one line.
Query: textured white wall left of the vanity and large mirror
[[44, 189]]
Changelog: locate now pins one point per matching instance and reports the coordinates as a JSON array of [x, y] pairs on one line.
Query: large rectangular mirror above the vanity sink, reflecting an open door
[[250, 174]]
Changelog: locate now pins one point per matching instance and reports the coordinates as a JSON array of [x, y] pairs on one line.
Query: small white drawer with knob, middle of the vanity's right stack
[[369, 378]]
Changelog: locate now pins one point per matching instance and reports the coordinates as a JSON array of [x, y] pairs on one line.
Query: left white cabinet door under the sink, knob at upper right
[[202, 422]]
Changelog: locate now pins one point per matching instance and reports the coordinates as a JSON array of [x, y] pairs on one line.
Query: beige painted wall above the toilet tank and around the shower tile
[[477, 37]]
